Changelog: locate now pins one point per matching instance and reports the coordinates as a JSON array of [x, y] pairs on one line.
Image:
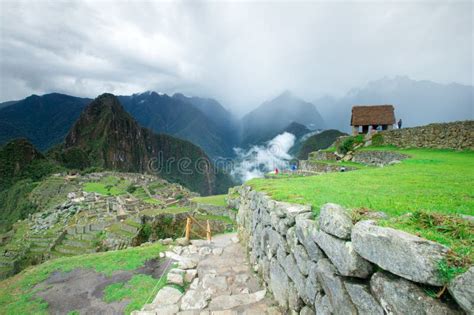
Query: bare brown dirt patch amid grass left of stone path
[[82, 290]]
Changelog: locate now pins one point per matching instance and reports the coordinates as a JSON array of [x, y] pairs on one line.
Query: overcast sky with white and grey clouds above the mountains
[[241, 53]]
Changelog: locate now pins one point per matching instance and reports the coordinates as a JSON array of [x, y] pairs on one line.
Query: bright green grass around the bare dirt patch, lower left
[[17, 294]]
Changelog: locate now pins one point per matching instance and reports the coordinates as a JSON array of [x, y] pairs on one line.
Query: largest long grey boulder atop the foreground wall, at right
[[401, 253]]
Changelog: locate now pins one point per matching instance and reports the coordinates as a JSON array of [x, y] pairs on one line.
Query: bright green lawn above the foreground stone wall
[[439, 182]]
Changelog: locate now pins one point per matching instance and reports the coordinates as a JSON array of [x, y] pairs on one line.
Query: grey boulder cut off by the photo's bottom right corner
[[462, 289]]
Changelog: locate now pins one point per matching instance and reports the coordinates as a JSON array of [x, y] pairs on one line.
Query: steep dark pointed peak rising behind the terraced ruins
[[106, 136]]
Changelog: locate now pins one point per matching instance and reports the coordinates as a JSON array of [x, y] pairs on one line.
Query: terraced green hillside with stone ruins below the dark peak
[[90, 213]]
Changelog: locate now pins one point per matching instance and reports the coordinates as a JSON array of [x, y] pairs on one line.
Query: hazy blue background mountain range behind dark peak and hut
[[205, 122]]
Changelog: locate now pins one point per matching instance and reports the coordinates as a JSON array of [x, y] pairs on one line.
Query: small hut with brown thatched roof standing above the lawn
[[364, 119]]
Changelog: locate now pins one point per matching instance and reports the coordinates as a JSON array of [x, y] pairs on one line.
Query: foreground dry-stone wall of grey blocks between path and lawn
[[329, 265]]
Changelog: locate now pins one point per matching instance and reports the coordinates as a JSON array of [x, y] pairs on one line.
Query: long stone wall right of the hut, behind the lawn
[[456, 135]]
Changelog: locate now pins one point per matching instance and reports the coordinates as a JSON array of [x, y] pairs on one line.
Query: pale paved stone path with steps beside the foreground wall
[[222, 282]]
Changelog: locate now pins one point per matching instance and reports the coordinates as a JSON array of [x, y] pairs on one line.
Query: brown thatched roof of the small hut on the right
[[372, 115]]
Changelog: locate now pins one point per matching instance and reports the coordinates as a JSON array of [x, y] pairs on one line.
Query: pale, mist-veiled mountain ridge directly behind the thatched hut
[[416, 102]]
